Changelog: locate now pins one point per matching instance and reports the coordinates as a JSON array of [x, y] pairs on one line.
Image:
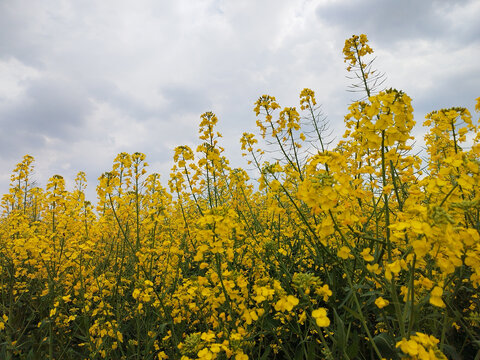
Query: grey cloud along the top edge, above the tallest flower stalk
[[395, 21]]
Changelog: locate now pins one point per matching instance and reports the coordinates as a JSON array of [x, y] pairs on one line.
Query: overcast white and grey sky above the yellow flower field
[[81, 81]]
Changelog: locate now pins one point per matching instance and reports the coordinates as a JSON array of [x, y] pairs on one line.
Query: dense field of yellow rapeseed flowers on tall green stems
[[294, 257]]
